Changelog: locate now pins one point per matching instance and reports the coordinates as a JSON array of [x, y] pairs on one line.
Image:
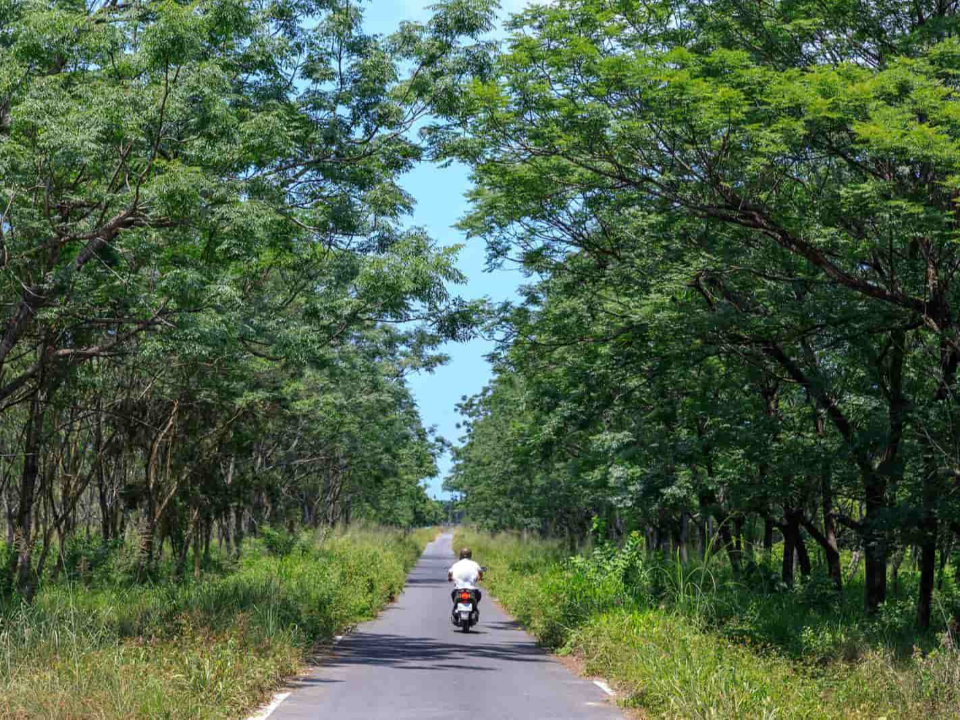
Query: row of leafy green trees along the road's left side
[[210, 301]]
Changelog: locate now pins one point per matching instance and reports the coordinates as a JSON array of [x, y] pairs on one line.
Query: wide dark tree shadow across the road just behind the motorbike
[[417, 653]]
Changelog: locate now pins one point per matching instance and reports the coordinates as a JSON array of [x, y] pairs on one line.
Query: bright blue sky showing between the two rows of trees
[[440, 203]]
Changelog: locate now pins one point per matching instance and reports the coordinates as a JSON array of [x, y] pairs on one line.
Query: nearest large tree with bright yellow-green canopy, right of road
[[780, 176]]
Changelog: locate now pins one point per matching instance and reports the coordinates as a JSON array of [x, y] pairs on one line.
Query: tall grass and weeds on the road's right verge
[[687, 640]]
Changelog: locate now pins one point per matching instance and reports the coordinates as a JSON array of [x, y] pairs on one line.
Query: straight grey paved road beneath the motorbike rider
[[411, 663]]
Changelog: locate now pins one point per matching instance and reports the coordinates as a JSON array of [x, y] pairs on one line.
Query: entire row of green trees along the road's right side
[[741, 221]]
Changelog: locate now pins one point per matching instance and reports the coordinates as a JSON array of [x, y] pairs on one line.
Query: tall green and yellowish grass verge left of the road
[[208, 648]]
